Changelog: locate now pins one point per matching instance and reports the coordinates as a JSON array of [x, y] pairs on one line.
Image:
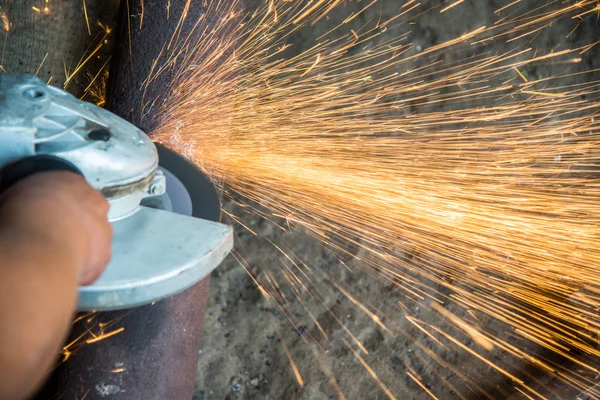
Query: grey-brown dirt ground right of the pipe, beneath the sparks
[[245, 336]]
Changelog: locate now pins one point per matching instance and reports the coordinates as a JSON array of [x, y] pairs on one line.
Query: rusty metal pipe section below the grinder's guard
[[153, 358]]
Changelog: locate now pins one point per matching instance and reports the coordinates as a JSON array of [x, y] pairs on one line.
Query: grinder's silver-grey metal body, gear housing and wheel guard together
[[156, 252]]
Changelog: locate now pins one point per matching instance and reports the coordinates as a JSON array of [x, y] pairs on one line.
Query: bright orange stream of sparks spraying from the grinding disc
[[462, 182]]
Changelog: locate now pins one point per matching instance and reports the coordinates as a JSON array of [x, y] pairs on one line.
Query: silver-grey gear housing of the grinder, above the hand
[[61, 125]]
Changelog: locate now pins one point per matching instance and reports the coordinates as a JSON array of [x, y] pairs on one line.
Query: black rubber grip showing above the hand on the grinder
[[28, 166]]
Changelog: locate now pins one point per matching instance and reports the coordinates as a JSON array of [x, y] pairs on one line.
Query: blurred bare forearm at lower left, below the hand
[[37, 297]]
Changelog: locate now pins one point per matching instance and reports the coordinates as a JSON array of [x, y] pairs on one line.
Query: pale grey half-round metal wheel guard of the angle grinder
[[156, 254]]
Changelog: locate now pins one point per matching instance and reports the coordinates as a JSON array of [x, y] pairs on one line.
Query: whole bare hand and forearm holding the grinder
[[54, 236]]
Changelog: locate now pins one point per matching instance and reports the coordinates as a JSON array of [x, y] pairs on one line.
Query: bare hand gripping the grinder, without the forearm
[[64, 209]]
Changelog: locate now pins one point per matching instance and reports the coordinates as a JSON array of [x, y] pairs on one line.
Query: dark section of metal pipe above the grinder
[[138, 49]]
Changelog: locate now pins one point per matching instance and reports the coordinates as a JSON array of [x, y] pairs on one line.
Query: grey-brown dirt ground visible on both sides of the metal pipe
[[248, 341]]
